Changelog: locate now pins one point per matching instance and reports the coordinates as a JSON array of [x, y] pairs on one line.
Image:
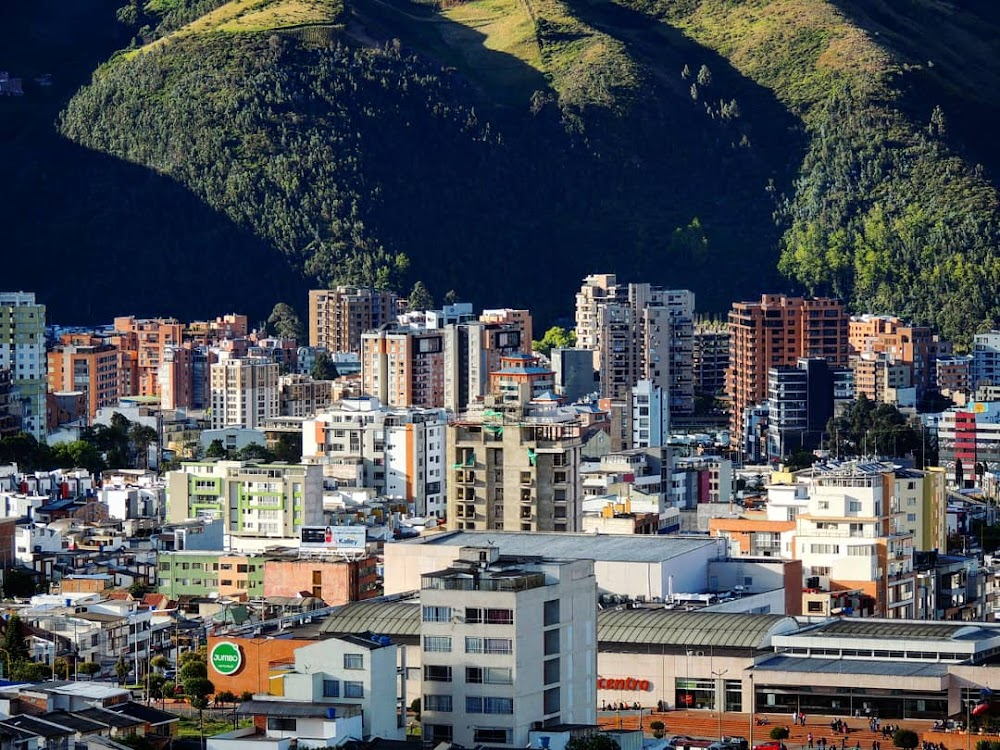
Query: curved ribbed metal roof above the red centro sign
[[665, 627]]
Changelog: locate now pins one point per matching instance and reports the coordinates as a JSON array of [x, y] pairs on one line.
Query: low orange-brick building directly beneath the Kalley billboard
[[333, 581]]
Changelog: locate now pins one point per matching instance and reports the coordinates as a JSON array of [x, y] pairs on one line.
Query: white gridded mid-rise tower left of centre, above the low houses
[[244, 393]]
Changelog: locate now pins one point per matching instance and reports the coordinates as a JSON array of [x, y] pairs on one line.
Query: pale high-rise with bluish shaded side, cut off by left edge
[[22, 351]]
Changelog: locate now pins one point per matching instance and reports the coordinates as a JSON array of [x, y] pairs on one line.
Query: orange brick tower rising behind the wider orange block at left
[[141, 342]]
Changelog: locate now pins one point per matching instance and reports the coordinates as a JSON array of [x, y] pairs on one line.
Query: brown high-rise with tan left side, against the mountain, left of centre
[[338, 317]]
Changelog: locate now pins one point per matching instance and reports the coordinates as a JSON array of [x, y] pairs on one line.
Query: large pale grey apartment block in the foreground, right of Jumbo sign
[[508, 644]]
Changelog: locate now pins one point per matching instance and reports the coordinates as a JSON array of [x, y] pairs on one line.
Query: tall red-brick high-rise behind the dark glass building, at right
[[775, 332]]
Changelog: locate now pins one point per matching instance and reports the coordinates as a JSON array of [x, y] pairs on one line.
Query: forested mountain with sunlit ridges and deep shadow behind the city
[[509, 147]]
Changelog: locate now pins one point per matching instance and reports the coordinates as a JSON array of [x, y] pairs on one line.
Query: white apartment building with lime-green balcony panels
[[252, 500]]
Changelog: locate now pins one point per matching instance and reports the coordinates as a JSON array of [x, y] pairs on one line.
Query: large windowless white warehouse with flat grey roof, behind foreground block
[[636, 566]]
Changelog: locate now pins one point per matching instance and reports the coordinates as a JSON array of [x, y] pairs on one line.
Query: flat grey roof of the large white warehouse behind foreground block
[[611, 547]]
